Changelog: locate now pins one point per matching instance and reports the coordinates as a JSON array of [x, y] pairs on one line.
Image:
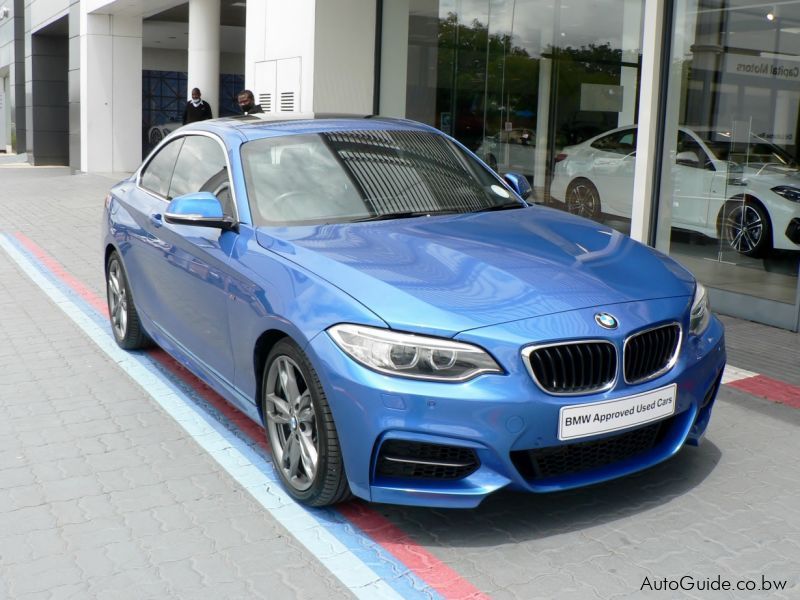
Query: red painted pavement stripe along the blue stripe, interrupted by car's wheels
[[447, 582]]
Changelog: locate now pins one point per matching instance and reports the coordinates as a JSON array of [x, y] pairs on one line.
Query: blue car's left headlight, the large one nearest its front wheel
[[414, 356]]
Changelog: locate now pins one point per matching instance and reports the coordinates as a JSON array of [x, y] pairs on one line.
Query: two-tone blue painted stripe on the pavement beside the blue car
[[360, 563]]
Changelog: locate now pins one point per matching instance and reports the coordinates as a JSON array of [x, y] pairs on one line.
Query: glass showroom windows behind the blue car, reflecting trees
[[552, 89]]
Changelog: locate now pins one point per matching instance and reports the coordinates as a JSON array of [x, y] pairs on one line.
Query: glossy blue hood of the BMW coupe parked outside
[[447, 274]]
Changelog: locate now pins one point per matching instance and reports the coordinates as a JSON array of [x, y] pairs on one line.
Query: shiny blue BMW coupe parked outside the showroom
[[406, 327]]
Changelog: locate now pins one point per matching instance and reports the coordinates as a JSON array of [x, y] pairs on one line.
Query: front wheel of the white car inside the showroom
[[746, 227]]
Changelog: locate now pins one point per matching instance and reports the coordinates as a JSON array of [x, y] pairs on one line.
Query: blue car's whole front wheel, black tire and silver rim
[[300, 428]]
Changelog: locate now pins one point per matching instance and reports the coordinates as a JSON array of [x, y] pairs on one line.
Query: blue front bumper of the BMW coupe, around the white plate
[[505, 422]]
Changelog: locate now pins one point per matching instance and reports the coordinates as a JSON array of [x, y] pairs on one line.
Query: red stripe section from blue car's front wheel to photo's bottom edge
[[424, 565]]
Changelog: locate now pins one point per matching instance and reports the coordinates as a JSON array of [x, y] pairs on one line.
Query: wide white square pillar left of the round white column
[[110, 92]]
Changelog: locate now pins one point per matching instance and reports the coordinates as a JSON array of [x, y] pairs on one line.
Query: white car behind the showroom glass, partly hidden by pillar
[[745, 193]]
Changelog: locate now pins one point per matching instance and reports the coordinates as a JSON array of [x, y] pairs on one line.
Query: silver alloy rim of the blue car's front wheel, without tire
[[291, 423]]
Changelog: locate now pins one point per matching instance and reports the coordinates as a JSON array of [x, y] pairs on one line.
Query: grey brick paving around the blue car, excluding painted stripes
[[103, 495]]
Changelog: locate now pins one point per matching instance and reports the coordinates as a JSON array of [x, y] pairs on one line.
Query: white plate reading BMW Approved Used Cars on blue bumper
[[582, 420]]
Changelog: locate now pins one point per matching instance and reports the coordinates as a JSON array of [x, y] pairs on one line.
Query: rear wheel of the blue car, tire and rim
[[125, 323]]
